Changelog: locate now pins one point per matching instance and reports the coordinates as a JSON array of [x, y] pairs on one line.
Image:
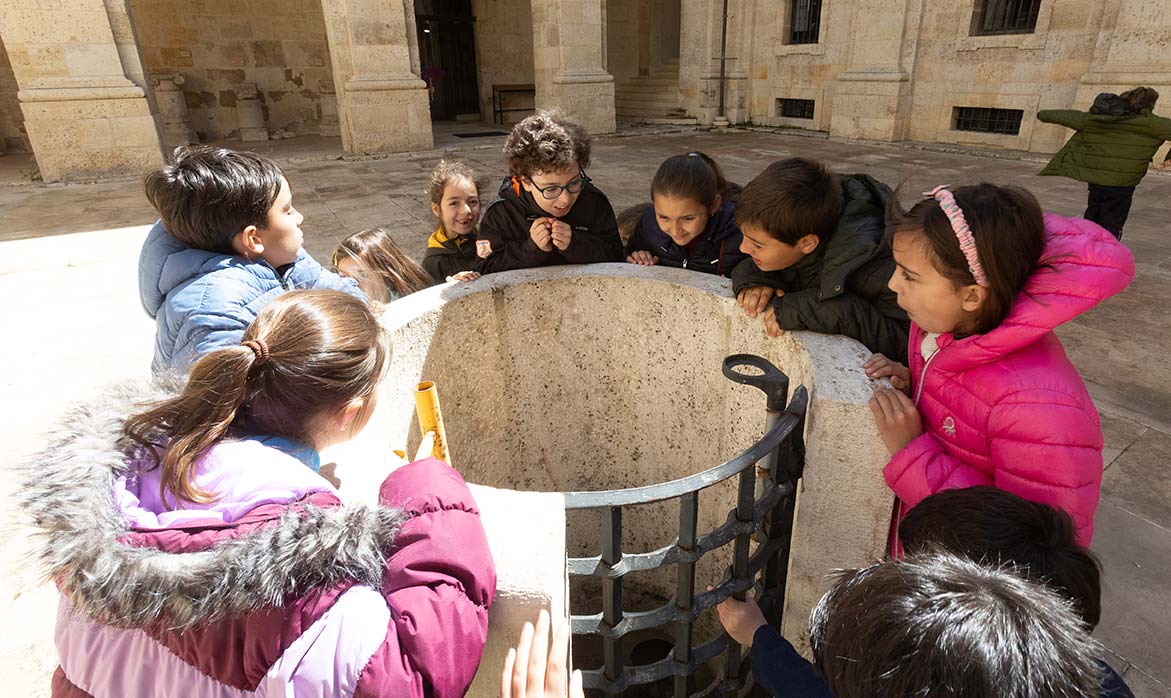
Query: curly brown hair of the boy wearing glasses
[[546, 142]]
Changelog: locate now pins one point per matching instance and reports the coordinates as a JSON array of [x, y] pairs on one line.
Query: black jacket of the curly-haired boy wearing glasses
[[505, 244]]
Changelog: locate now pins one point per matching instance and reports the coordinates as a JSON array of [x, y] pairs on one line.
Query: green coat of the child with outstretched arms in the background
[[1106, 150]]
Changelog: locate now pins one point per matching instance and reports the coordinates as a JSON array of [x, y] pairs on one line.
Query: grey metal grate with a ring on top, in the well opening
[[764, 514]]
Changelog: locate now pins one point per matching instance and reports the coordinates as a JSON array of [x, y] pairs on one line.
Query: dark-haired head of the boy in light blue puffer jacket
[[228, 202]]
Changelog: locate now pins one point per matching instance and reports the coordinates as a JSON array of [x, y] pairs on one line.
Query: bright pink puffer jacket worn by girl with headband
[[1008, 408]]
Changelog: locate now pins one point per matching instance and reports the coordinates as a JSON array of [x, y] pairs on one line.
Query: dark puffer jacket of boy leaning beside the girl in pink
[[841, 288]]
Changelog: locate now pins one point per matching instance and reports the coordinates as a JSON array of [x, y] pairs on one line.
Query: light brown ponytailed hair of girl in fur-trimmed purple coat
[[306, 357]]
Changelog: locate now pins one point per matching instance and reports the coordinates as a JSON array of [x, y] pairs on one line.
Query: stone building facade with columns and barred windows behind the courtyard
[[91, 86]]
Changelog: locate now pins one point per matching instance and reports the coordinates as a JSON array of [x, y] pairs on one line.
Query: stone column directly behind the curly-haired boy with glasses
[[569, 59]]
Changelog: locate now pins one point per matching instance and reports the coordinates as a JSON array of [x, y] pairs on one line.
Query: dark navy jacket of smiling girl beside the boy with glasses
[[717, 251]]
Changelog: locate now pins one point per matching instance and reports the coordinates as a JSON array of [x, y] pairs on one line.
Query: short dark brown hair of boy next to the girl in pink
[[791, 200]]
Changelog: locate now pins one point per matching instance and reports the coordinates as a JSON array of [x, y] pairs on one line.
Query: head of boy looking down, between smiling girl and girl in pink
[[786, 213]]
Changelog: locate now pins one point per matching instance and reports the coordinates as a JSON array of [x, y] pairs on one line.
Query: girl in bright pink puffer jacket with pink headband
[[990, 398]]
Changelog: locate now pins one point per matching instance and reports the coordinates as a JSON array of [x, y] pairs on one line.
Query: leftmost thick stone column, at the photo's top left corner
[[85, 118]]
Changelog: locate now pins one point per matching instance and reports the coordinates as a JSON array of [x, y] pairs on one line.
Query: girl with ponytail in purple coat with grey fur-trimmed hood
[[200, 553]]
